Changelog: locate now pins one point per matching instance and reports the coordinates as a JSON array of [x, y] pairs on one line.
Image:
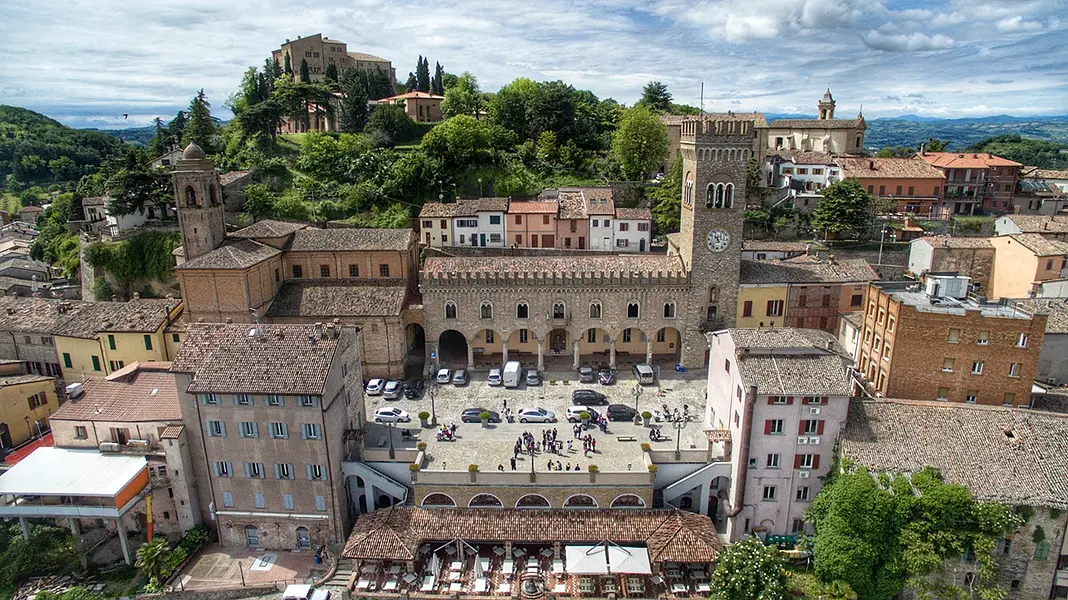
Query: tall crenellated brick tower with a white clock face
[[716, 153]]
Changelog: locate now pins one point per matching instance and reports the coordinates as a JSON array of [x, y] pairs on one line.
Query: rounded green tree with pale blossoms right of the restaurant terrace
[[749, 571]]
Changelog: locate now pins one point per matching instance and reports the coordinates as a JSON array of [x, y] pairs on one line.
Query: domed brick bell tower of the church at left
[[198, 197]]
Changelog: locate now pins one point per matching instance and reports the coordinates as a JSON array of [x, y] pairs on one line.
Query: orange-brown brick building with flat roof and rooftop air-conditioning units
[[930, 342]]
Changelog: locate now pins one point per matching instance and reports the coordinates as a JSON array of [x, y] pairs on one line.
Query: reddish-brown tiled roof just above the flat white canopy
[[138, 393]]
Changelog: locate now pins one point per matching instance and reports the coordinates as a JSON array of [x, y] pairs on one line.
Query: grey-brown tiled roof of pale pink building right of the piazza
[[821, 375]]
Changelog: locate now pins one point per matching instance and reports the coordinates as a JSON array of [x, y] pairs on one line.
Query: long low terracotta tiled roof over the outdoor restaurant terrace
[[397, 533]]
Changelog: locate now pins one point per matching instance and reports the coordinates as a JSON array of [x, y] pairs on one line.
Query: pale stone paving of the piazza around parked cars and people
[[493, 446]]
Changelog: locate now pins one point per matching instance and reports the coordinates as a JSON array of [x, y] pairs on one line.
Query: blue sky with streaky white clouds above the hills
[[88, 62]]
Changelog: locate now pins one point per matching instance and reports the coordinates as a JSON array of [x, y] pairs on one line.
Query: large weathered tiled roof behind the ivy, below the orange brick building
[[1001, 454]]
